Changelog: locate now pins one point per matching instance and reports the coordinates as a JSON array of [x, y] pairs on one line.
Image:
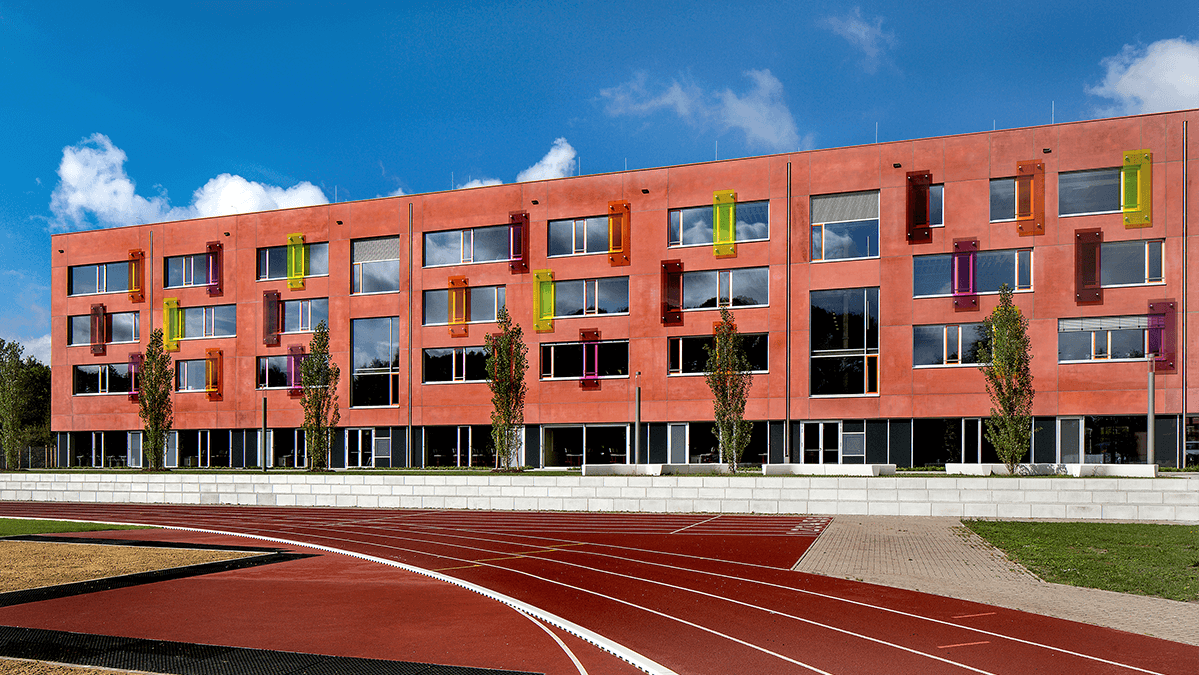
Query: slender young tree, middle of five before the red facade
[[507, 365]]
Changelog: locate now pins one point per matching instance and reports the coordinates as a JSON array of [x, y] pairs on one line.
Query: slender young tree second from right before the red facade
[[728, 377]]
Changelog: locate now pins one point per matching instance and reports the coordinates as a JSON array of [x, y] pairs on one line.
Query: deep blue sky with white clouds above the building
[[119, 113]]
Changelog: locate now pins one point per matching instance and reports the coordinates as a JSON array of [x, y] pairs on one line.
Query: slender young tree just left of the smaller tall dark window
[[318, 377]]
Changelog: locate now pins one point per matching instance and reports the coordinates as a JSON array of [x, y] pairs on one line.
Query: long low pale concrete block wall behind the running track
[[1124, 499]]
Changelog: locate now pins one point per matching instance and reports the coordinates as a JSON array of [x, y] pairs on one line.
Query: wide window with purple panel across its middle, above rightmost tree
[[933, 275]]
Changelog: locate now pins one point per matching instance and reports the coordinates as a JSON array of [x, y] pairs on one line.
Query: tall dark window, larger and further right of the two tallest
[[845, 342]]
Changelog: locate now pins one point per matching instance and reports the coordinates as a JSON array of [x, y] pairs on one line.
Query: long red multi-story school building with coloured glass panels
[[860, 278]]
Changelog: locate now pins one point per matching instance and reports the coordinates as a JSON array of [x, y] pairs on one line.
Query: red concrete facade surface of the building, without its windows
[[965, 165]]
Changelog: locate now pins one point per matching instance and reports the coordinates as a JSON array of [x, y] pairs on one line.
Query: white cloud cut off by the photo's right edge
[[1161, 77]]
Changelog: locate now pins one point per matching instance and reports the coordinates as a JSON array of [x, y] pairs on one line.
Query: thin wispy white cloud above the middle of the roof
[[761, 113]]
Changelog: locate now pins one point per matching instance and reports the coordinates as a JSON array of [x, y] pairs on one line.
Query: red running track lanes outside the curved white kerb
[[689, 594]]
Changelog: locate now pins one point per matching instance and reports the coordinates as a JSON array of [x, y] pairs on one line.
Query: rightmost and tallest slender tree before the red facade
[[1005, 360]]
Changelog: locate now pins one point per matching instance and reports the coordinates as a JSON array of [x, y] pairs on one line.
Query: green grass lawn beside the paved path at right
[[1143, 559]]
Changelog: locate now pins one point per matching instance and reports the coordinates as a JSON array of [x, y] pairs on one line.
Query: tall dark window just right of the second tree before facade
[[376, 355]]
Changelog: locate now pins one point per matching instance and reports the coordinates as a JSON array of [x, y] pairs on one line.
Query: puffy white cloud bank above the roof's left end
[[93, 184]]
